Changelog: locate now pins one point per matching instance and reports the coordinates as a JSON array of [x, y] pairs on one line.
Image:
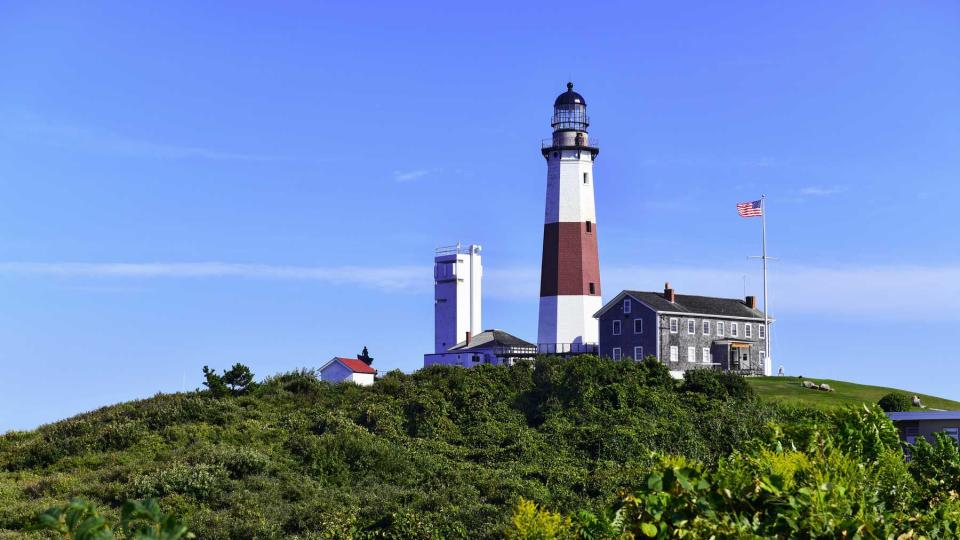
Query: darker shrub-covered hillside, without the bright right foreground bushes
[[448, 451]]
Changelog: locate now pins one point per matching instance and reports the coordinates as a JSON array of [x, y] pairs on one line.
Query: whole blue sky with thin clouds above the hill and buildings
[[190, 183]]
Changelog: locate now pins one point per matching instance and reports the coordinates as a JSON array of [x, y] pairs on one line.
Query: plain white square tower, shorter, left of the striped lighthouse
[[457, 273]]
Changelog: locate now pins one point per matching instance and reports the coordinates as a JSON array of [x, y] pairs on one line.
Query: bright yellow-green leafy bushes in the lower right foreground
[[849, 481]]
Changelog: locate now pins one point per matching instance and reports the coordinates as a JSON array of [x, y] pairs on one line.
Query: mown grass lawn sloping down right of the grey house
[[788, 389]]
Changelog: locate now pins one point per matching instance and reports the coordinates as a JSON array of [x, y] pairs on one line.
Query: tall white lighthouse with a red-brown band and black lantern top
[[570, 270]]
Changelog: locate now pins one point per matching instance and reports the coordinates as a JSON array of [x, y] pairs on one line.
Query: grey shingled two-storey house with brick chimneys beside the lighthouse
[[684, 331]]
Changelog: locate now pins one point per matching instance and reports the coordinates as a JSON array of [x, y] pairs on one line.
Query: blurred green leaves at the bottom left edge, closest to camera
[[139, 520]]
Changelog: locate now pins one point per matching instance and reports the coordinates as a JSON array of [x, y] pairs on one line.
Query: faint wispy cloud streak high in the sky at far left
[[36, 129]]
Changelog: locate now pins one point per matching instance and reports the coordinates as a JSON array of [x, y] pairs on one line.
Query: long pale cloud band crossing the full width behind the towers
[[913, 293]]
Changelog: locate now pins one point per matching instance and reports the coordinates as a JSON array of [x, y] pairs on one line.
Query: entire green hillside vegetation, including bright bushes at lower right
[[576, 448]]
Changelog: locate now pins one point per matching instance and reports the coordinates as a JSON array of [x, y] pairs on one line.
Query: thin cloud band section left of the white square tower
[[394, 278]]
